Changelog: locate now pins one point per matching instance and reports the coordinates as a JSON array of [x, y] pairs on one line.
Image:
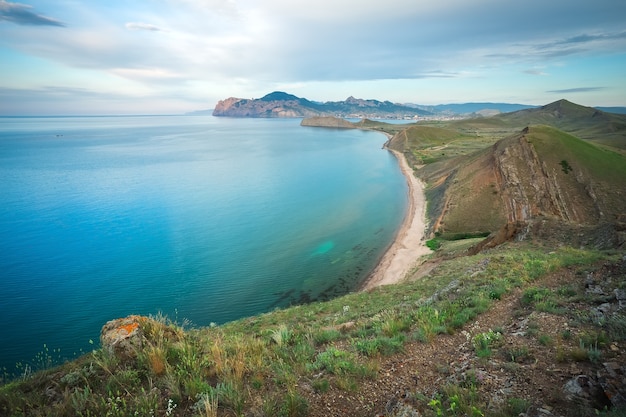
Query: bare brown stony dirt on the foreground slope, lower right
[[533, 361]]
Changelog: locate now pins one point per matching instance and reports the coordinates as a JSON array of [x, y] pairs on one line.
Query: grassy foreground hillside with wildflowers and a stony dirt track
[[493, 334]]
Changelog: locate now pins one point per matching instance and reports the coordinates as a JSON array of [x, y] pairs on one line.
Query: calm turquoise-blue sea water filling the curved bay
[[199, 218]]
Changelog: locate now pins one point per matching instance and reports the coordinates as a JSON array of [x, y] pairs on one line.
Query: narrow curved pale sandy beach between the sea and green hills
[[409, 244]]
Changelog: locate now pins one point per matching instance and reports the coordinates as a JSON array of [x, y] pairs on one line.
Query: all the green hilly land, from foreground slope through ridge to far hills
[[519, 311]]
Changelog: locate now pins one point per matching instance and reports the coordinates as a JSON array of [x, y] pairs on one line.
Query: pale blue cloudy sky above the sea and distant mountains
[[80, 57]]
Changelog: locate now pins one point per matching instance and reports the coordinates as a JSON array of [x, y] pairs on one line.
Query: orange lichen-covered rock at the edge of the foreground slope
[[123, 337]]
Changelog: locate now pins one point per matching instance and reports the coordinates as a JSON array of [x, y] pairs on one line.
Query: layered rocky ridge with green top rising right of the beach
[[541, 174]]
